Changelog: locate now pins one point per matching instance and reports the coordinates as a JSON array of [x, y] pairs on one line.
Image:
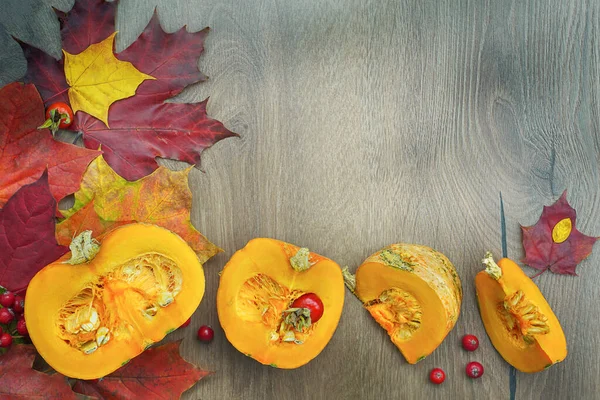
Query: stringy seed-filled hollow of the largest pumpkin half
[[102, 310]]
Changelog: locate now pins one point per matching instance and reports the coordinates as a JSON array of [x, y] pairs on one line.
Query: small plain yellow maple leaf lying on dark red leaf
[[97, 79]]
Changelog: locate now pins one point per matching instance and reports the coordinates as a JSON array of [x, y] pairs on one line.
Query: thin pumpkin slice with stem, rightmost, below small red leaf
[[517, 317]]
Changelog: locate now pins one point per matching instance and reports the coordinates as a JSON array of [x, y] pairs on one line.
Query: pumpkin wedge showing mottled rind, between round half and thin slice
[[413, 292]]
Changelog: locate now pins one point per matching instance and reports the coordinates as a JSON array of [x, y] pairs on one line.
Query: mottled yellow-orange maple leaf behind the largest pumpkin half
[[162, 198]]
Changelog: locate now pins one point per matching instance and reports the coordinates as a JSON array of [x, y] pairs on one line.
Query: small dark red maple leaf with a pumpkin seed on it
[[553, 242]]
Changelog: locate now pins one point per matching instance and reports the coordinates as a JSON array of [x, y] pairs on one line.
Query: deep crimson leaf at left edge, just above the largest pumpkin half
[[27, 242]]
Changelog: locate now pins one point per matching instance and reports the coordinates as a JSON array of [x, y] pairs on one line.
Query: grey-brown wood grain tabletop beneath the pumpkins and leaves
[[364, 123]]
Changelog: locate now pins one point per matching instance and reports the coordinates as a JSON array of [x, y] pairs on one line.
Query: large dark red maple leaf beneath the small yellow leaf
[[142, 127]]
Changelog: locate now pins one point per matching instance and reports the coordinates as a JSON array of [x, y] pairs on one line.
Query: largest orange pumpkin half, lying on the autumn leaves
[[87, 320]]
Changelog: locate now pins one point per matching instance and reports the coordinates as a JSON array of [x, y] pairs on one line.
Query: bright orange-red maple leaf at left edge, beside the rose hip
[[25, 151]]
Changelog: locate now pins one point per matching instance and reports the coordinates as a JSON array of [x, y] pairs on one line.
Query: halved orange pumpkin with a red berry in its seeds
[[256, 290]]
